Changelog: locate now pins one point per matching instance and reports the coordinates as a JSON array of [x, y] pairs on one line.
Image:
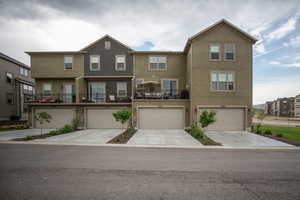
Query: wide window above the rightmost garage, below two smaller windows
[[222, 81]]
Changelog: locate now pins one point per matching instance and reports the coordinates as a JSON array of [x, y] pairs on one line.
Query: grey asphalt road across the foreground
[[82, 172]]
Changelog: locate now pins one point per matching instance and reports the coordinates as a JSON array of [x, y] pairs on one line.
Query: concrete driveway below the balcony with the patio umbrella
[[175, 137]]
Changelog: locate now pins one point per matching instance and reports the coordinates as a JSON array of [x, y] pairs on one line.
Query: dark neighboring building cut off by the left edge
[[16, 86]]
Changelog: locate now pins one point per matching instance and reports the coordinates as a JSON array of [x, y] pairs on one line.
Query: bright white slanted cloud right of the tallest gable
[[283, 30]]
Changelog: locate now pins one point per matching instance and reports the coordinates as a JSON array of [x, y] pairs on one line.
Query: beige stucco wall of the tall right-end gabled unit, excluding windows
[[201, 68]]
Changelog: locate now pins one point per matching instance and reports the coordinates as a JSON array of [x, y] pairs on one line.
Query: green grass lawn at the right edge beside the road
[[292, 133]]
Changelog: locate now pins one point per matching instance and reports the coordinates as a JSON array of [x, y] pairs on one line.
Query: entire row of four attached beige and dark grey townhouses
[[164, 89]]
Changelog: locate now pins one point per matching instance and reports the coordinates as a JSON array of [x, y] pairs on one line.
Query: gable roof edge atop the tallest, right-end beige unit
[[188, 43]]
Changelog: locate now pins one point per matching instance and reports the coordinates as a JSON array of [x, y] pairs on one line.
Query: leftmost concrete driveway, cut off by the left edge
[[10, 135]]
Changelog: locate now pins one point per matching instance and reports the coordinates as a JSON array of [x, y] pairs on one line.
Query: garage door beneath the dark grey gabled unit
[[102, 118]]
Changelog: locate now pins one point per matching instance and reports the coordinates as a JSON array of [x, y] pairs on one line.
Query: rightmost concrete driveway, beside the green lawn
[[243, 139]]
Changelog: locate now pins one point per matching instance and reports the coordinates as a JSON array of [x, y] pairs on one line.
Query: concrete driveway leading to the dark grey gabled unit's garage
[[87, 136]]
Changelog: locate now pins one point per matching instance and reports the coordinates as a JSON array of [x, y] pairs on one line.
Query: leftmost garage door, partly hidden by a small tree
[[60, 117]]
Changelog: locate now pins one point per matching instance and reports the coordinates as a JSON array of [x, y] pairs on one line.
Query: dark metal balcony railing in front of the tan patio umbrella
[[157, 93]]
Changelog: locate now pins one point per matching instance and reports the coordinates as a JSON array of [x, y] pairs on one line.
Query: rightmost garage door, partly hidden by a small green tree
[[227, 120]]
